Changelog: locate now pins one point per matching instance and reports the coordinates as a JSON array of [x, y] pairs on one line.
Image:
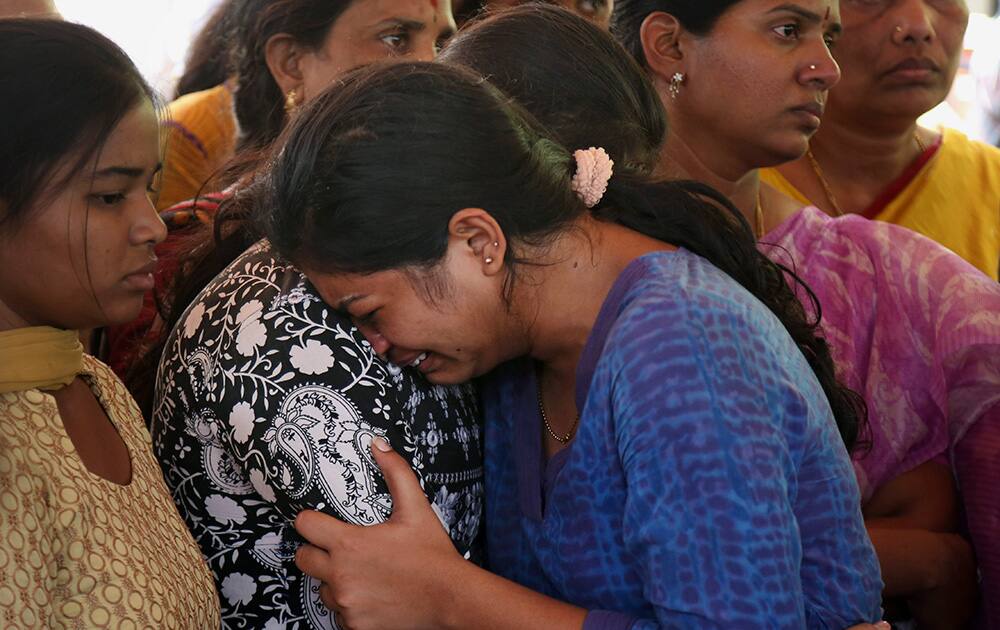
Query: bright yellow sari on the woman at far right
[[953, 199]]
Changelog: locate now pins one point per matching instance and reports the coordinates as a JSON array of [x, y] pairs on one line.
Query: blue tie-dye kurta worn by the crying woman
[[707, 485]]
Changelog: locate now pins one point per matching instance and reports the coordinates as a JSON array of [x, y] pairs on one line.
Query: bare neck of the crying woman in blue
[[564, 295]]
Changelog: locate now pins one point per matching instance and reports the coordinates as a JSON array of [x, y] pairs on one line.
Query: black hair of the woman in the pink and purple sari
[[697, 16]]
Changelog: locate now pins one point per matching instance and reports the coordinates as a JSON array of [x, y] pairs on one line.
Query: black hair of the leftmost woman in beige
[[66, 87]]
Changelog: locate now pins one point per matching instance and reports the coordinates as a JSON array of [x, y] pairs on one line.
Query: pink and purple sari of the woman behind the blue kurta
[[916, 330]]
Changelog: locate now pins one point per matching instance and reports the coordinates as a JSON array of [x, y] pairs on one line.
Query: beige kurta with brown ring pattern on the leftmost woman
[[78, 551]]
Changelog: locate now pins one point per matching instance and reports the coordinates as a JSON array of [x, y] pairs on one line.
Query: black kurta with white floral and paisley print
[[267, 402]]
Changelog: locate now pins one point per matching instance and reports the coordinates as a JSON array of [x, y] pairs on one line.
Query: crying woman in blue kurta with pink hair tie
[[707, 484]]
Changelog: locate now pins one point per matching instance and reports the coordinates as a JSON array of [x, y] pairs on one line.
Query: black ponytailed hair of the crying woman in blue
[[369, 175]]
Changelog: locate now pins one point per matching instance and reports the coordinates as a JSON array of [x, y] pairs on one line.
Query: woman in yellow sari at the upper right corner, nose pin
[[898, 60]]
